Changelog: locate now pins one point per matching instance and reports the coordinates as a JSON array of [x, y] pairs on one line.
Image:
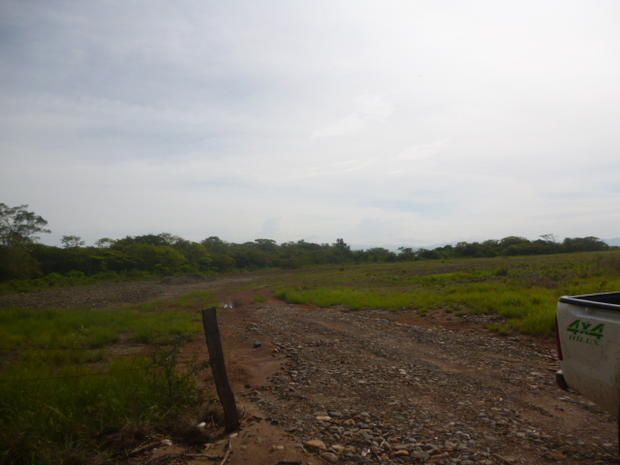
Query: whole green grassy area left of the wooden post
[[73, 383]]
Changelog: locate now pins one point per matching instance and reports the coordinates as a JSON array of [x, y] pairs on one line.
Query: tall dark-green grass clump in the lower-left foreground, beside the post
[[65, 415]]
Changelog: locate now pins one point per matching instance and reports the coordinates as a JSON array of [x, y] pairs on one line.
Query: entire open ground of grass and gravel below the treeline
[[399, 355]]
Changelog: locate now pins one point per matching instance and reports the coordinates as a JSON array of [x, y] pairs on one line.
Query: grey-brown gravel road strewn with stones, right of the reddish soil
[[357, 387]]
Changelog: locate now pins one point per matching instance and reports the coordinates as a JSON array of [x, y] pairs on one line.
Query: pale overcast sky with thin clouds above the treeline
[[385, 123]]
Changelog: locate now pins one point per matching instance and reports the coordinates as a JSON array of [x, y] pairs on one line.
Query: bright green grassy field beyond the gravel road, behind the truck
[[523, 290]]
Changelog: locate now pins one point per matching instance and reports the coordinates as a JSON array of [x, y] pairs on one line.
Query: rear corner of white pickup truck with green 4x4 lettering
[[588, 339]]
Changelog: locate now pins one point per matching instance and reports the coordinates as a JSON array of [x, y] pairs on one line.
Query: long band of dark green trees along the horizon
[[165, 254]]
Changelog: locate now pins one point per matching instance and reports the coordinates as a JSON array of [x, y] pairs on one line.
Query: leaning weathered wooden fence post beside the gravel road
[[216, 360]]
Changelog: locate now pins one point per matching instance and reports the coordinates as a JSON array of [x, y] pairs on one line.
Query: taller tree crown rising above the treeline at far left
[[19, 226]]
